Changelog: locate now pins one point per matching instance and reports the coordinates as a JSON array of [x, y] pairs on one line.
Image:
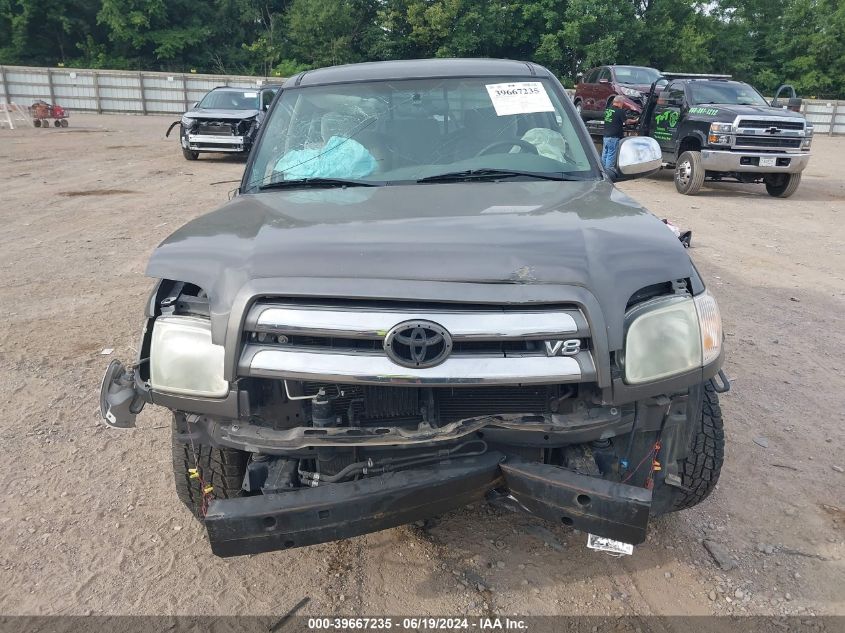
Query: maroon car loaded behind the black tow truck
[[598, 86]]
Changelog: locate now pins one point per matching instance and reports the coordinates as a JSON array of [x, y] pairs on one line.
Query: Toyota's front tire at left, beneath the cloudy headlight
[[221, 468]]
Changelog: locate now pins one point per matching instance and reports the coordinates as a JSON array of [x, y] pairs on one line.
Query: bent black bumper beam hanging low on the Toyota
[[310, 516]]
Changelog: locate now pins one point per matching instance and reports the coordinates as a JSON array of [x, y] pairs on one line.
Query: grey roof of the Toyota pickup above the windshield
[[416, 68]]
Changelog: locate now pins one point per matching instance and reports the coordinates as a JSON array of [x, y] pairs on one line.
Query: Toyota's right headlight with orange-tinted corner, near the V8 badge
[[671, 336]]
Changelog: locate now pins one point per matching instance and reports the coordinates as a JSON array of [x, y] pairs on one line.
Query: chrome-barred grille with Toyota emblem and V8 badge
[[344, 343]]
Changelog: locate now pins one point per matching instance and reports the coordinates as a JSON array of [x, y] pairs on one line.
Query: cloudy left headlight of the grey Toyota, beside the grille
[[183, 360]]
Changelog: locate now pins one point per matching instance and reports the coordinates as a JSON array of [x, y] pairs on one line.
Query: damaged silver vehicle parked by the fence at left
[[226, 120]]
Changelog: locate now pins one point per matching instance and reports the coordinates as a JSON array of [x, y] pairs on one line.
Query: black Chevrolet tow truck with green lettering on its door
[[710, 127]]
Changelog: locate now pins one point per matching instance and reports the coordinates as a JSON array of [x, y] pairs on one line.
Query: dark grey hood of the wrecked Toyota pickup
[[585, 234]]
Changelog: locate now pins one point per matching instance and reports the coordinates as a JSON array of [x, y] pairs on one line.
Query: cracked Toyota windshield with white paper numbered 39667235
[[392, 132]]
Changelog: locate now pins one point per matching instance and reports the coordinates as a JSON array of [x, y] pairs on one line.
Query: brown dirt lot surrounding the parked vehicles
[[89, 521]]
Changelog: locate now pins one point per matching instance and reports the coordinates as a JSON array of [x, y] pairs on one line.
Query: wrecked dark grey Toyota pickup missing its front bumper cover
[[426, 293]]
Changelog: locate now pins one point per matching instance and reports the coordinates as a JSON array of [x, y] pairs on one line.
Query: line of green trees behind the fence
[[765, 42]]
